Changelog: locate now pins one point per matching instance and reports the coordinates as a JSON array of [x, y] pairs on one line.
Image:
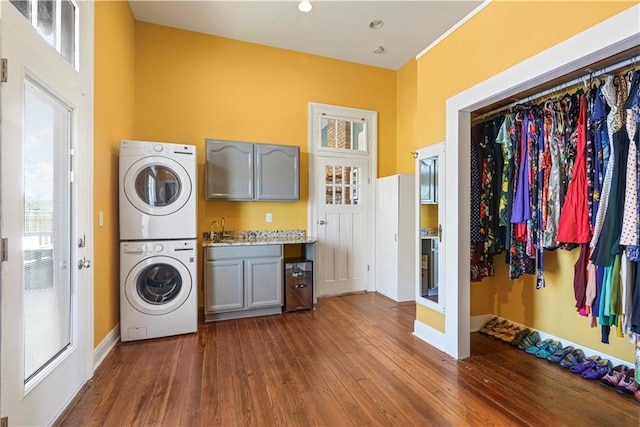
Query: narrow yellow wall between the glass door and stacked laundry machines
[[113, 120]]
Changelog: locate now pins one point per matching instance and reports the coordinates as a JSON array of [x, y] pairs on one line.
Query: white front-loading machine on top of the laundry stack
[[157, 191]]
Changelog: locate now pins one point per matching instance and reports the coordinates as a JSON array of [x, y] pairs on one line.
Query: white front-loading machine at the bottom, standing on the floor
[[158, 291]]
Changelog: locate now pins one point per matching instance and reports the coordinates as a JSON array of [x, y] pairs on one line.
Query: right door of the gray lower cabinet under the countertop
[[264, 282]]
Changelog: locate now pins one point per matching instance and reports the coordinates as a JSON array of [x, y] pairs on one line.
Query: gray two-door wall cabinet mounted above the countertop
[[252, 171]]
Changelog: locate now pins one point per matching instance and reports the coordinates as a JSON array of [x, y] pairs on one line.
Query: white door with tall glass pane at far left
[[45, 151]]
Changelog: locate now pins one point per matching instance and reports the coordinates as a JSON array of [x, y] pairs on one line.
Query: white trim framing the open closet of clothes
[[607, 38]]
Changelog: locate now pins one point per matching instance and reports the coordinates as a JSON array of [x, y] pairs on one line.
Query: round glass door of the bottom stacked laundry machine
[[158, 285]]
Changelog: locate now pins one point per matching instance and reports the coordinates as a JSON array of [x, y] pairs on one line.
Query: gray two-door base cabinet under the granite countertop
[[242, 281]]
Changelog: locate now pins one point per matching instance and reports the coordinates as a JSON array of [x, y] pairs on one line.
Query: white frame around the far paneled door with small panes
[[315, 108]]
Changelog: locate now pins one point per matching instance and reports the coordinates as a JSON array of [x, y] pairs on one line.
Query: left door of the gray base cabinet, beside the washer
[[223, 285]]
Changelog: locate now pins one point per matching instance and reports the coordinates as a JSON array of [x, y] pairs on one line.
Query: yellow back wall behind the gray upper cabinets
[[191, 86]]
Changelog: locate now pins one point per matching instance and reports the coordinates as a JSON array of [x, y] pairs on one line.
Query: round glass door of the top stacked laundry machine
[[157, 186]]
